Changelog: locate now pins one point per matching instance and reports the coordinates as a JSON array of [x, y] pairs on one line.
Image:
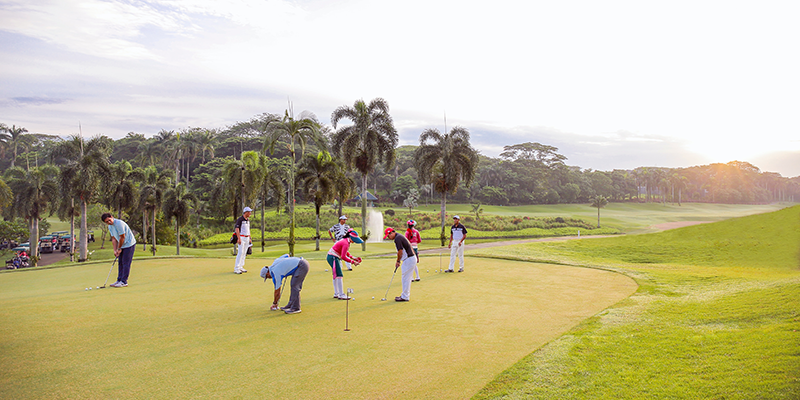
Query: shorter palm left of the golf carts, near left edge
[[35, 191]]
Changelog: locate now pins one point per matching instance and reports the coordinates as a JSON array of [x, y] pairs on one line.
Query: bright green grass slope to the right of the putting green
[[717, 315]]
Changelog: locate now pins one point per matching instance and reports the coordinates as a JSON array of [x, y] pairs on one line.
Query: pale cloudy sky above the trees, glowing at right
[[611, 84]]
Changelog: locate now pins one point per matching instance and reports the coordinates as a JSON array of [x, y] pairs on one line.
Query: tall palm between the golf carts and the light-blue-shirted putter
[[87, 167]]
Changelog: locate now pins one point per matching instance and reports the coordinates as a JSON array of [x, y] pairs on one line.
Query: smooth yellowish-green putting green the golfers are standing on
[[192, 328]]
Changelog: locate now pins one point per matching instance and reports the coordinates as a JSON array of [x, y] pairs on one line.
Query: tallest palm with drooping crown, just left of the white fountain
[[371, 140]]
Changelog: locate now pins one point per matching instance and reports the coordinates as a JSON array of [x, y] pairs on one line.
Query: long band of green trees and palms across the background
[[275, 160]]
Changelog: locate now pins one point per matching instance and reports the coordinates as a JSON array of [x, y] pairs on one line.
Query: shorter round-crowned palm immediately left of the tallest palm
[[317, 177]]
